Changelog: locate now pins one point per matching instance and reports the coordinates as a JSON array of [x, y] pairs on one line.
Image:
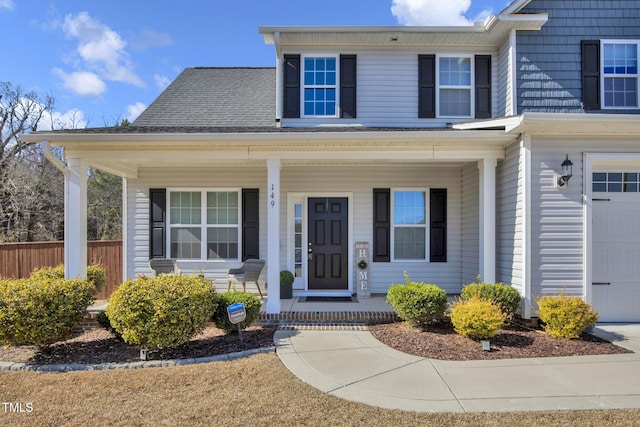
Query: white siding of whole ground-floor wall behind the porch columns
[[357, 181]]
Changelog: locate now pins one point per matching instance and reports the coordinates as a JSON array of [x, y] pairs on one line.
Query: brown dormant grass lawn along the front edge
[[257, 390]]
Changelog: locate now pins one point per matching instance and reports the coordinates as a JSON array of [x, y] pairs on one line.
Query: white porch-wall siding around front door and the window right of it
[[360, 181]]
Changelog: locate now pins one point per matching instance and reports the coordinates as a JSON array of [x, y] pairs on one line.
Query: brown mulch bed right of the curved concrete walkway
[[440, 341]]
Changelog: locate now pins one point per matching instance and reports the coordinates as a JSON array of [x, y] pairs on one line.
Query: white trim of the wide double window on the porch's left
[[203, 225]]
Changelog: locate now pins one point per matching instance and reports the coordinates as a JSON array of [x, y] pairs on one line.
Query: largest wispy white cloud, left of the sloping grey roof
[[101, 49]]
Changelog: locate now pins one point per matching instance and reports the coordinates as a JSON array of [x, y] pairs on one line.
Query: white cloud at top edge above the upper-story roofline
[[434, 12]]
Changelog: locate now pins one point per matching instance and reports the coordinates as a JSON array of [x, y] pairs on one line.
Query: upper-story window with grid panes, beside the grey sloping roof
[[319, 86]]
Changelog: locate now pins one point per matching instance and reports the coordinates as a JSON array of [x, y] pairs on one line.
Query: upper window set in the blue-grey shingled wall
[[620, 73]]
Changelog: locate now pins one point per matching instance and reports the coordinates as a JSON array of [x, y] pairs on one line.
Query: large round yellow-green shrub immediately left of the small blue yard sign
[[162, 311]]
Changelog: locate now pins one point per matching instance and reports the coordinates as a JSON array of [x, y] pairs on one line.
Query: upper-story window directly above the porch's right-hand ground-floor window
[[455, 86]]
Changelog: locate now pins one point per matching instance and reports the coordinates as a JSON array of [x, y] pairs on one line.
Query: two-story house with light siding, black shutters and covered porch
[[440, 149]]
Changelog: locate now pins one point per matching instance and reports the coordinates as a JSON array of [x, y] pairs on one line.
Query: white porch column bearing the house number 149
[[273, 236]]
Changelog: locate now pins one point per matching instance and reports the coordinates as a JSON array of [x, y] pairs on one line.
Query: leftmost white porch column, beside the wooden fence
[[75, 219]]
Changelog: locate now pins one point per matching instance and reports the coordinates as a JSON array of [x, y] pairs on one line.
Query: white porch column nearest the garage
[[487, 189]]
